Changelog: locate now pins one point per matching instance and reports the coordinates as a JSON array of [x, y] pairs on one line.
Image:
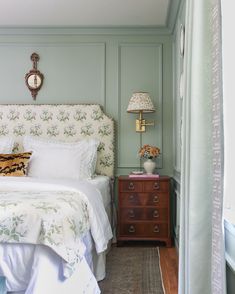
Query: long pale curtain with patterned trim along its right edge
[[201, 264]]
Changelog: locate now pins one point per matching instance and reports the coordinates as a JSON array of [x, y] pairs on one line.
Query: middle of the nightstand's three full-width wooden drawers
[[129, 214]]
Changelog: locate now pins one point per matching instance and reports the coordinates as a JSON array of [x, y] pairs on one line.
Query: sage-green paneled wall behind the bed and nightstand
[[97, 68]]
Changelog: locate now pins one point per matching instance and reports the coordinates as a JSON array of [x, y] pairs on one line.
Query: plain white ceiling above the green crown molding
[[84, 13]]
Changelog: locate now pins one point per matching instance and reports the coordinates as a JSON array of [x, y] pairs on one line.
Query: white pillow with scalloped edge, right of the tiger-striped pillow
[[53, 159]]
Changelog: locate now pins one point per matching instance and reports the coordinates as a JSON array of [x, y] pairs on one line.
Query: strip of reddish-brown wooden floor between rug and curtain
[[169, 267]]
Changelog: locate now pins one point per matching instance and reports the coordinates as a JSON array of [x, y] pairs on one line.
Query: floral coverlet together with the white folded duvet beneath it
[[55, 214]]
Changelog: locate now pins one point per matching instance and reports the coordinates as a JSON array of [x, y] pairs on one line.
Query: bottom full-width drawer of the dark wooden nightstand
[[144, 230]]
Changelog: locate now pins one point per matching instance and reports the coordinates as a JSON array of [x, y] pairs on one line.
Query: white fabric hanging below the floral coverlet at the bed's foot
[[45, 274]]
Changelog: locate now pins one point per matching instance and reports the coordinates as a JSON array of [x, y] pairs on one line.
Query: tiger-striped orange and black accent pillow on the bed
[[14, 165]]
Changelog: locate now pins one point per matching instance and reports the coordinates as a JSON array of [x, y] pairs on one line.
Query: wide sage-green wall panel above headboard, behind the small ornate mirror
[[70, 71]]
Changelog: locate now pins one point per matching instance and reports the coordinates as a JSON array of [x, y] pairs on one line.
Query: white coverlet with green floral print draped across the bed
[[57, 219]]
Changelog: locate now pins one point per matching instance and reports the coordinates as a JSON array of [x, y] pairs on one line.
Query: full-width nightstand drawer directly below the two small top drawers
[[143, 199]]
